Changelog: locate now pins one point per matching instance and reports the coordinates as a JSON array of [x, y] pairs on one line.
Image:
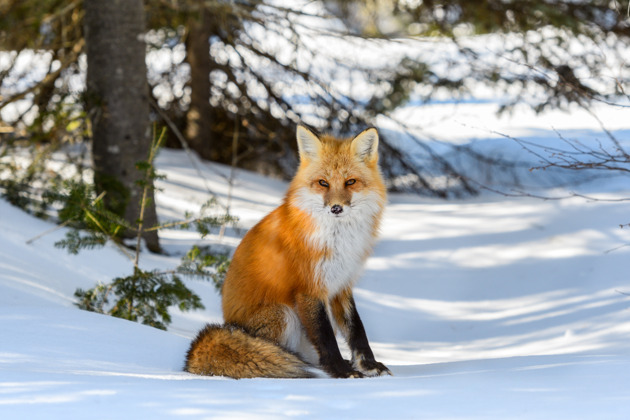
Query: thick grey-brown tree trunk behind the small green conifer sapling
[[117, 100]]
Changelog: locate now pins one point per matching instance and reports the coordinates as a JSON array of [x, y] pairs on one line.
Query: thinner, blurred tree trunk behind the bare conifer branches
[[198, 124]]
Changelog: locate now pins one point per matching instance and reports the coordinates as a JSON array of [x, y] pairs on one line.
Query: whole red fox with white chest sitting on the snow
[[289, 285]]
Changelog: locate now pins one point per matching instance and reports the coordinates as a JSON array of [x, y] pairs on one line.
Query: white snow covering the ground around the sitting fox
[[486, 308]]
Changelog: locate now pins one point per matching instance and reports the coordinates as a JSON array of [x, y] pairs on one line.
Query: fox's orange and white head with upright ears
[[338, 178]]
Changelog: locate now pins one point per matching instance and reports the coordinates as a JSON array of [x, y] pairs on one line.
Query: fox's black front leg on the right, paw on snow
[[347, 317]]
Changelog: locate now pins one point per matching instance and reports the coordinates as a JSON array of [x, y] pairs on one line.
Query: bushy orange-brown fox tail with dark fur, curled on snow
[[228, 350]]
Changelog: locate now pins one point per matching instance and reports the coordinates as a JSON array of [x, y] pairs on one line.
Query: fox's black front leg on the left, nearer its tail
[[314, 318]]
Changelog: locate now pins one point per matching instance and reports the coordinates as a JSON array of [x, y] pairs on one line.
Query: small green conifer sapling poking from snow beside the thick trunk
[[144, 296]]
